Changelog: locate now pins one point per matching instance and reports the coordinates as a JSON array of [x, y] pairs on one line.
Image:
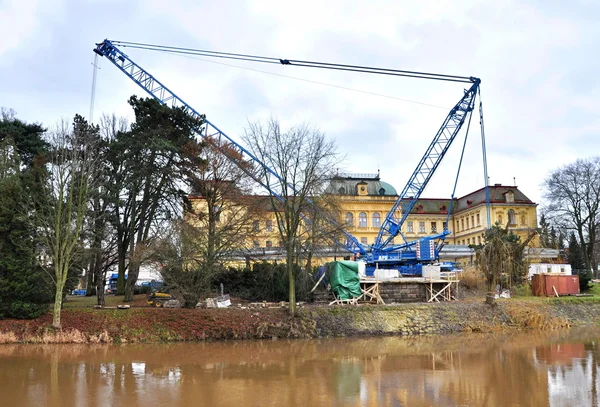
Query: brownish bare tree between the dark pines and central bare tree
[[215, 228]]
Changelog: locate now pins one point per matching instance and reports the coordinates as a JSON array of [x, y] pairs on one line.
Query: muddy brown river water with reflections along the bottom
[[525, 369]]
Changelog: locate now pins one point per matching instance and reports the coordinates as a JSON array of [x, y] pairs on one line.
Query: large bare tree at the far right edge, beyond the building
[[573, 195]]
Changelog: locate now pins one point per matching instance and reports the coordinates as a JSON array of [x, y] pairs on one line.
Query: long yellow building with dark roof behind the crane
[[364, 201]]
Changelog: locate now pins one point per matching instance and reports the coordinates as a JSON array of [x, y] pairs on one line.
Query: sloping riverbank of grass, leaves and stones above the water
[[169, 325]]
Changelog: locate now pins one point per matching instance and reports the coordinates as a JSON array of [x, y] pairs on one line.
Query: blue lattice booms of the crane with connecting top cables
[[407, 199]]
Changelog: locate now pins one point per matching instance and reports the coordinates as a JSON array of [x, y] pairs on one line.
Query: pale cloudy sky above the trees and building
[[537, 60]]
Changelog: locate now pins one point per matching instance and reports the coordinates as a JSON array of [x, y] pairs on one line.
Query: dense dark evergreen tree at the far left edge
[[25, 289]]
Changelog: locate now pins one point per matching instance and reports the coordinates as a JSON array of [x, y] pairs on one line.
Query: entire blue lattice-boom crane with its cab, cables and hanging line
[[407, 256]]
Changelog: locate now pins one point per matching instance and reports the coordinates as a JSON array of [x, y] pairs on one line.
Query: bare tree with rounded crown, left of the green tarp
[[303, 160]]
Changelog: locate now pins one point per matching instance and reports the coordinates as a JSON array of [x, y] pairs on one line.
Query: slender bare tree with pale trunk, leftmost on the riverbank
[[61, 217]]
